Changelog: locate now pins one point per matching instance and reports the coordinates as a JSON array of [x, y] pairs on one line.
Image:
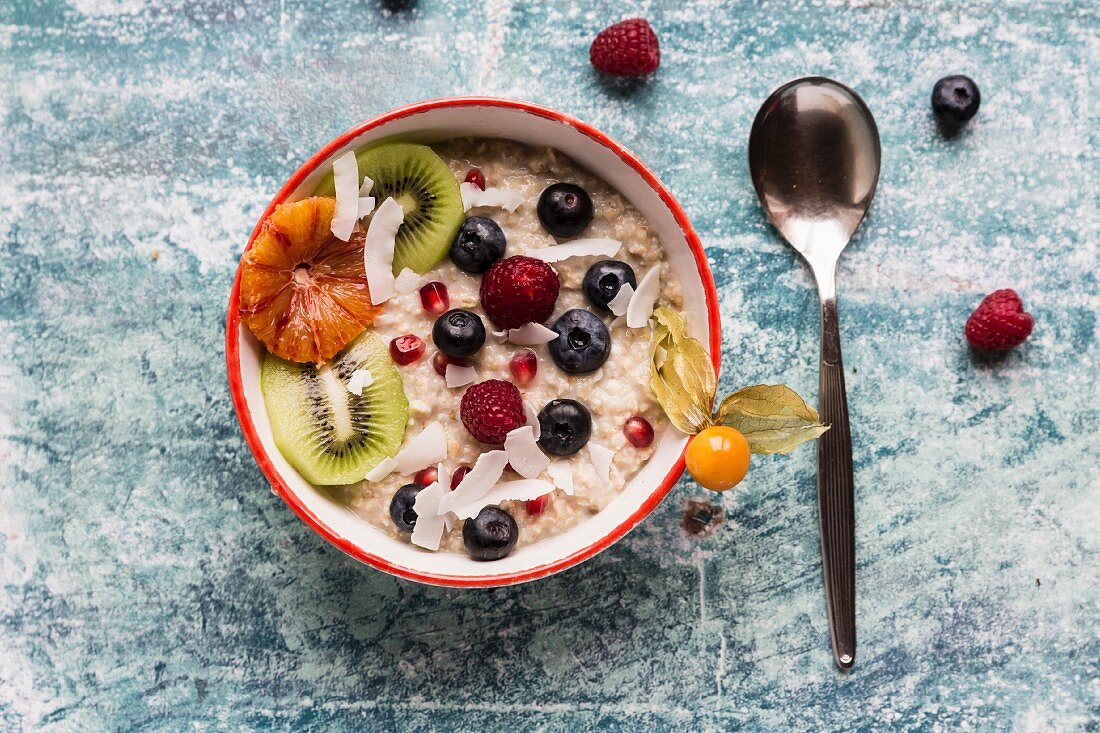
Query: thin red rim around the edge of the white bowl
[[234, 356]]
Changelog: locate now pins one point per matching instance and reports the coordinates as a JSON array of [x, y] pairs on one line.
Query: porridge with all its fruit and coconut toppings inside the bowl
[[454, 336]]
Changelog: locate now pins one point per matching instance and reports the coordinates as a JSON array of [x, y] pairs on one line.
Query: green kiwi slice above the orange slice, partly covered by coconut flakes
[[428, 193]]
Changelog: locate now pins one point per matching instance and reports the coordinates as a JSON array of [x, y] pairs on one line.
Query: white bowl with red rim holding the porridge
[[474, 117]]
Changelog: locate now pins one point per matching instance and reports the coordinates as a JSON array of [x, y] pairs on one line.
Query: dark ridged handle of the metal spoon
[[835, 495]]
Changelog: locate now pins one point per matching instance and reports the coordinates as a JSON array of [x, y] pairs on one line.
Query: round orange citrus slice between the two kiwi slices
[[304, 292]]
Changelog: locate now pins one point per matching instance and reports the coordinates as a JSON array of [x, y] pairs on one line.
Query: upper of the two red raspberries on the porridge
[[518, 291]]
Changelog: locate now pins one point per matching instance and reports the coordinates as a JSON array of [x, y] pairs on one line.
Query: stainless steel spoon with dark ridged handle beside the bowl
[[815, 156]]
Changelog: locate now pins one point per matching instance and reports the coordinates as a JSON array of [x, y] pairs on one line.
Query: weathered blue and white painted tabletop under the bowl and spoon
[[149, 581]]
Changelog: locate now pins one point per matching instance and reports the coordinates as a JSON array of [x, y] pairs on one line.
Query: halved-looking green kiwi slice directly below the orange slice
[[331, 435]]
